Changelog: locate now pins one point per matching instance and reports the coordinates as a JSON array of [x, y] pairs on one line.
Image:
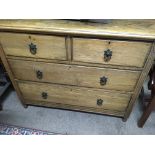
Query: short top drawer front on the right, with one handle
[[123, 53]]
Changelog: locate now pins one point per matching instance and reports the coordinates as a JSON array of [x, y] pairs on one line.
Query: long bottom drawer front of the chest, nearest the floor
[[70, 95]]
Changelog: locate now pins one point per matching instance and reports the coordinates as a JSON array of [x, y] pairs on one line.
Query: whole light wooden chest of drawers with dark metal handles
[[90, 67]]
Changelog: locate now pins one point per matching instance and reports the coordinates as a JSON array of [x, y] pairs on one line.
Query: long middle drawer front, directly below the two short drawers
[[75, 75]]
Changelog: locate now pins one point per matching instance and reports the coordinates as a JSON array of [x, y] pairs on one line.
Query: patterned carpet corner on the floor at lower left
[[6, 129]]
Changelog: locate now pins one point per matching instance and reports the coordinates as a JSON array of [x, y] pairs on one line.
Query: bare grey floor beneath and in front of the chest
[[69, 122]]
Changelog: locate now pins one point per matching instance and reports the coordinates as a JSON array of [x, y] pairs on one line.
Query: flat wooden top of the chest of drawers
[[125, 28]]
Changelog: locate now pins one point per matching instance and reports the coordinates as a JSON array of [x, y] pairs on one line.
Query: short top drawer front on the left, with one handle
[[35, 46]]
